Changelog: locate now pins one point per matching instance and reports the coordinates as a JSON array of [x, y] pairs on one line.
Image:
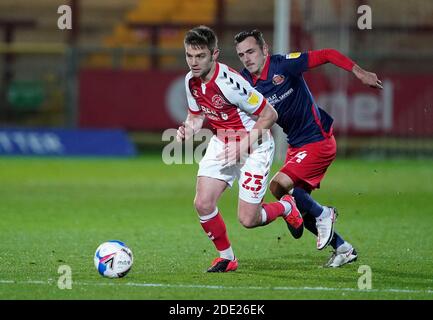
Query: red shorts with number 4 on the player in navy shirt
[[307, 165]]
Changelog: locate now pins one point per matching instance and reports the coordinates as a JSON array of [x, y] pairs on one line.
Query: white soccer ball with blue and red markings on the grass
[[113, 259]]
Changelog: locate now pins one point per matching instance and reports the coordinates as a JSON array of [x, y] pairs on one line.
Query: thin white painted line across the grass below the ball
[[216, 287]]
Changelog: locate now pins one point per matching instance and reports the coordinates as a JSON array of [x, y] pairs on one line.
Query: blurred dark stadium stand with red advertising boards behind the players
[[122, 66]]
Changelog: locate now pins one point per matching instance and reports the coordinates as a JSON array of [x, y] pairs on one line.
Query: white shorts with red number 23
[[252, 175]]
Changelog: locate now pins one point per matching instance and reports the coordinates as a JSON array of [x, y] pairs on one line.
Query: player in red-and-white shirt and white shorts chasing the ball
[[242, 146]]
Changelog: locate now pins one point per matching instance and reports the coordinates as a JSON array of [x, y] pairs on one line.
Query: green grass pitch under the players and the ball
[[56, 212]]
